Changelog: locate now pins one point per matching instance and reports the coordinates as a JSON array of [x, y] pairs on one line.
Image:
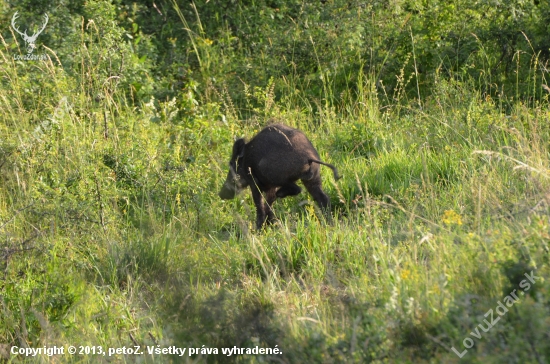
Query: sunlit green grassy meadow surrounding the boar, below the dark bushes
[[112, 232]]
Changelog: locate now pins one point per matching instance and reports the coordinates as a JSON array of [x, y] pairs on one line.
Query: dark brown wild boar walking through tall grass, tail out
[[270, 164]]
